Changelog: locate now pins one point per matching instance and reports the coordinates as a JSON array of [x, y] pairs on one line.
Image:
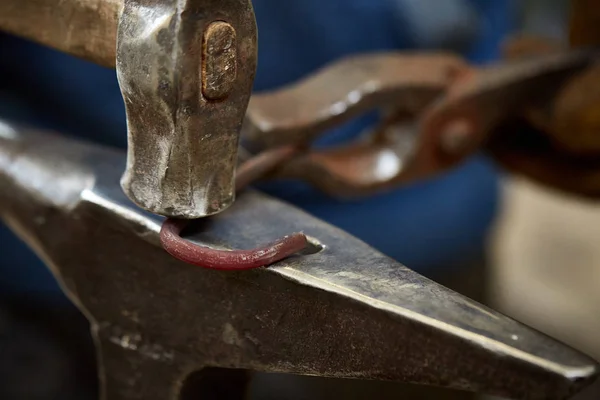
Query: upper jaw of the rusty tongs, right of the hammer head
[[346, 88]]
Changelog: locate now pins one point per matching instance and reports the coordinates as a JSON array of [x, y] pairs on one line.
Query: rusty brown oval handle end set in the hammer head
[[219, 61]]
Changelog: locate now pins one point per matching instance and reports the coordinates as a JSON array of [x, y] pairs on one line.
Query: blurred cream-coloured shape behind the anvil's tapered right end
[[546, 263]]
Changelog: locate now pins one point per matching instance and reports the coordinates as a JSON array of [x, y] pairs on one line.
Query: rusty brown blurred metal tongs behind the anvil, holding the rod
[[436, 111]]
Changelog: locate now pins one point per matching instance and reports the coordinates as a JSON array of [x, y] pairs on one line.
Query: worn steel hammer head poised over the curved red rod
[[186, 70]]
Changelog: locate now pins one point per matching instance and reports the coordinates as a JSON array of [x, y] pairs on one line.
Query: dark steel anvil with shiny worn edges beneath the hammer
[[343, 311]]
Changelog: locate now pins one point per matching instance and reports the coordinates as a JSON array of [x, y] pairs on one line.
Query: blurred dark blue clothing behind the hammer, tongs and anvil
[[427, 225]]
